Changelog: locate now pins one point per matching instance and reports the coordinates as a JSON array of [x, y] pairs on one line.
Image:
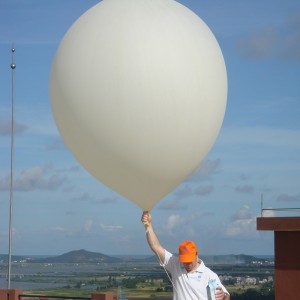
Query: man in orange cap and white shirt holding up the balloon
[[191, 279]]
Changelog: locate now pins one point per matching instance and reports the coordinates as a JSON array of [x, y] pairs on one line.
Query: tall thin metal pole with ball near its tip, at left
[[13, 66]]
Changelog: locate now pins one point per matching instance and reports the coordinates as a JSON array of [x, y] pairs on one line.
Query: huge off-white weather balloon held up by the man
[[138, 92]]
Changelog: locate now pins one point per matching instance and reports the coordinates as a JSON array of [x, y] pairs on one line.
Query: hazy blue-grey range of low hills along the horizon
[[84, 256]]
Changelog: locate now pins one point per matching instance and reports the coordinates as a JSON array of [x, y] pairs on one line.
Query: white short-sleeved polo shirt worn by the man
[[192, 285]]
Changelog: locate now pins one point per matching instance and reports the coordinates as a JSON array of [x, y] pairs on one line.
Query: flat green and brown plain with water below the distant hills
[[136, 281]]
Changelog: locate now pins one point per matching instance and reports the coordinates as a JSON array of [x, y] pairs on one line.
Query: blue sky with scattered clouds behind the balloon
[[59, 207]]
